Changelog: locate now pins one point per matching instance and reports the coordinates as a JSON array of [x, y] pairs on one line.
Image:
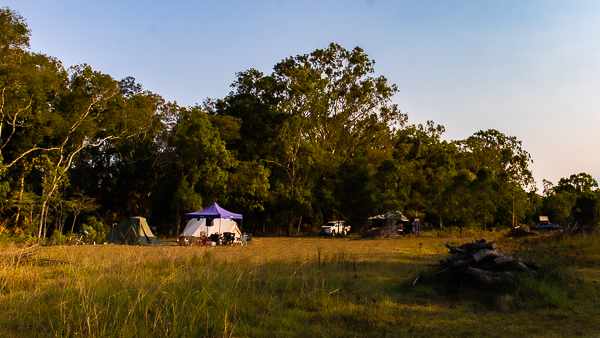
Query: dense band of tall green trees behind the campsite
[[317, 138]]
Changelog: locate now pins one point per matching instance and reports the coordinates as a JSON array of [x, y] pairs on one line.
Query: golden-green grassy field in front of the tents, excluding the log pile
[[296, 287]]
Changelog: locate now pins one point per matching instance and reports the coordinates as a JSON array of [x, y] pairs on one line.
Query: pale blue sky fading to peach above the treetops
[[530, 69]]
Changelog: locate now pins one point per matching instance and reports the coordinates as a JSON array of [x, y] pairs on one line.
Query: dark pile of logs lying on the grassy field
[[481, 263]]
